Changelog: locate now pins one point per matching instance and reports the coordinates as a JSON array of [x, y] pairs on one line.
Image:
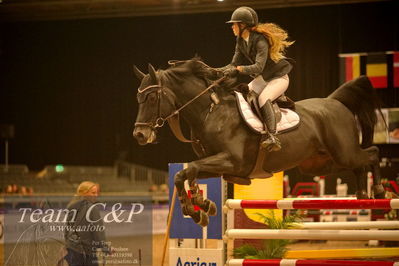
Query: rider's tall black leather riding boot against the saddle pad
[[272, 143]]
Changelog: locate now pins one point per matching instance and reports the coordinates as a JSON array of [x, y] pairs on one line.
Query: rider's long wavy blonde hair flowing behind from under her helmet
[[277, 38]]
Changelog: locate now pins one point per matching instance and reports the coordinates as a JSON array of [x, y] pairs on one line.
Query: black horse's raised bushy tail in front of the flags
[[359, 96]]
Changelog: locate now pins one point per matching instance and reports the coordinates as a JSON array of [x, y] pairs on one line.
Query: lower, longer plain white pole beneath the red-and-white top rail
[[386, 235]]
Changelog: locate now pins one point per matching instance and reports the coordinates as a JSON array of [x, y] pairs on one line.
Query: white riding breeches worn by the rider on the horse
[[269, 90]]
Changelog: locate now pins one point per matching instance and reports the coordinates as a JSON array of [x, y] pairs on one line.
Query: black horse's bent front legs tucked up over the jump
[[206, 167]]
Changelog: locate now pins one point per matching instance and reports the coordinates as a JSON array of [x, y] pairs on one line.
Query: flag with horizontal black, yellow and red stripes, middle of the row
[[377, 70]]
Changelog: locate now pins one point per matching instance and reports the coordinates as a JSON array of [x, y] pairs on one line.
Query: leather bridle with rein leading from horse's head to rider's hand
[[160, 121]]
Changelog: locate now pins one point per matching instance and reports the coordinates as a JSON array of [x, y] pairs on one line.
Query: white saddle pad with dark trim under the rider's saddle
[[289, 118]]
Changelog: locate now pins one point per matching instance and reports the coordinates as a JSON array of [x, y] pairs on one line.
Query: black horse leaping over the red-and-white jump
[[325, 142]]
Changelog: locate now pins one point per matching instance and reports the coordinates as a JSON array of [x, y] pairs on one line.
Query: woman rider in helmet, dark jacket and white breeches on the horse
[[259, 53]]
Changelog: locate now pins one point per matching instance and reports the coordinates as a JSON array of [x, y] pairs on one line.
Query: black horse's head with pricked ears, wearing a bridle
[[156, 102]]
